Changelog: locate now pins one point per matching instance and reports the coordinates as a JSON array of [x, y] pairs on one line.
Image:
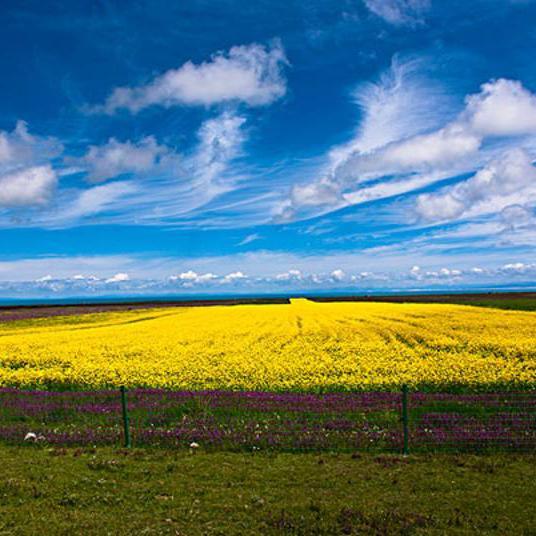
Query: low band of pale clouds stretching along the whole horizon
[[23, 277]]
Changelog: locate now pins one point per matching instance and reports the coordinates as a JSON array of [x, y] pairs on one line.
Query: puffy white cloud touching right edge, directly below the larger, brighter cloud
[[490, 189]]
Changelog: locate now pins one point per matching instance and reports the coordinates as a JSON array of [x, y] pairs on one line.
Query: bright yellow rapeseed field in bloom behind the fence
[[301, 346]]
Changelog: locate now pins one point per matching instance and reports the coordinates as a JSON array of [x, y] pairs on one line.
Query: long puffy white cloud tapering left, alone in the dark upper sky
[[252, 74]]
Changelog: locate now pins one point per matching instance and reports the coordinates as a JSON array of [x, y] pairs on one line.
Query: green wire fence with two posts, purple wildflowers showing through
[[400, 421]]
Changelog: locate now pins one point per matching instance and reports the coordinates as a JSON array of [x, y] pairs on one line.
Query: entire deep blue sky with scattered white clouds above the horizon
[[222, 146]]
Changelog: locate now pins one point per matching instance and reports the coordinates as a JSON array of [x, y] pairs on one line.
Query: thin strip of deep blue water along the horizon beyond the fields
[[80, 300]]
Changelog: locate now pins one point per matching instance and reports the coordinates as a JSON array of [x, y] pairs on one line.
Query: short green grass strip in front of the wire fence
[[105, 491]]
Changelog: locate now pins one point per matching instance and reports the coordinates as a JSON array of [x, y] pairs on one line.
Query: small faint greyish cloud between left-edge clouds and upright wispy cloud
[[117, 158]]
